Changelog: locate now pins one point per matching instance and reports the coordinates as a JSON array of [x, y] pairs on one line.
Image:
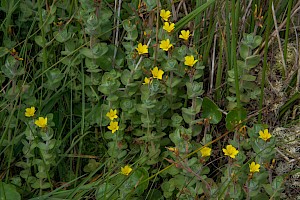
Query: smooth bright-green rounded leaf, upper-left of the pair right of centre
[[211, 111]]
